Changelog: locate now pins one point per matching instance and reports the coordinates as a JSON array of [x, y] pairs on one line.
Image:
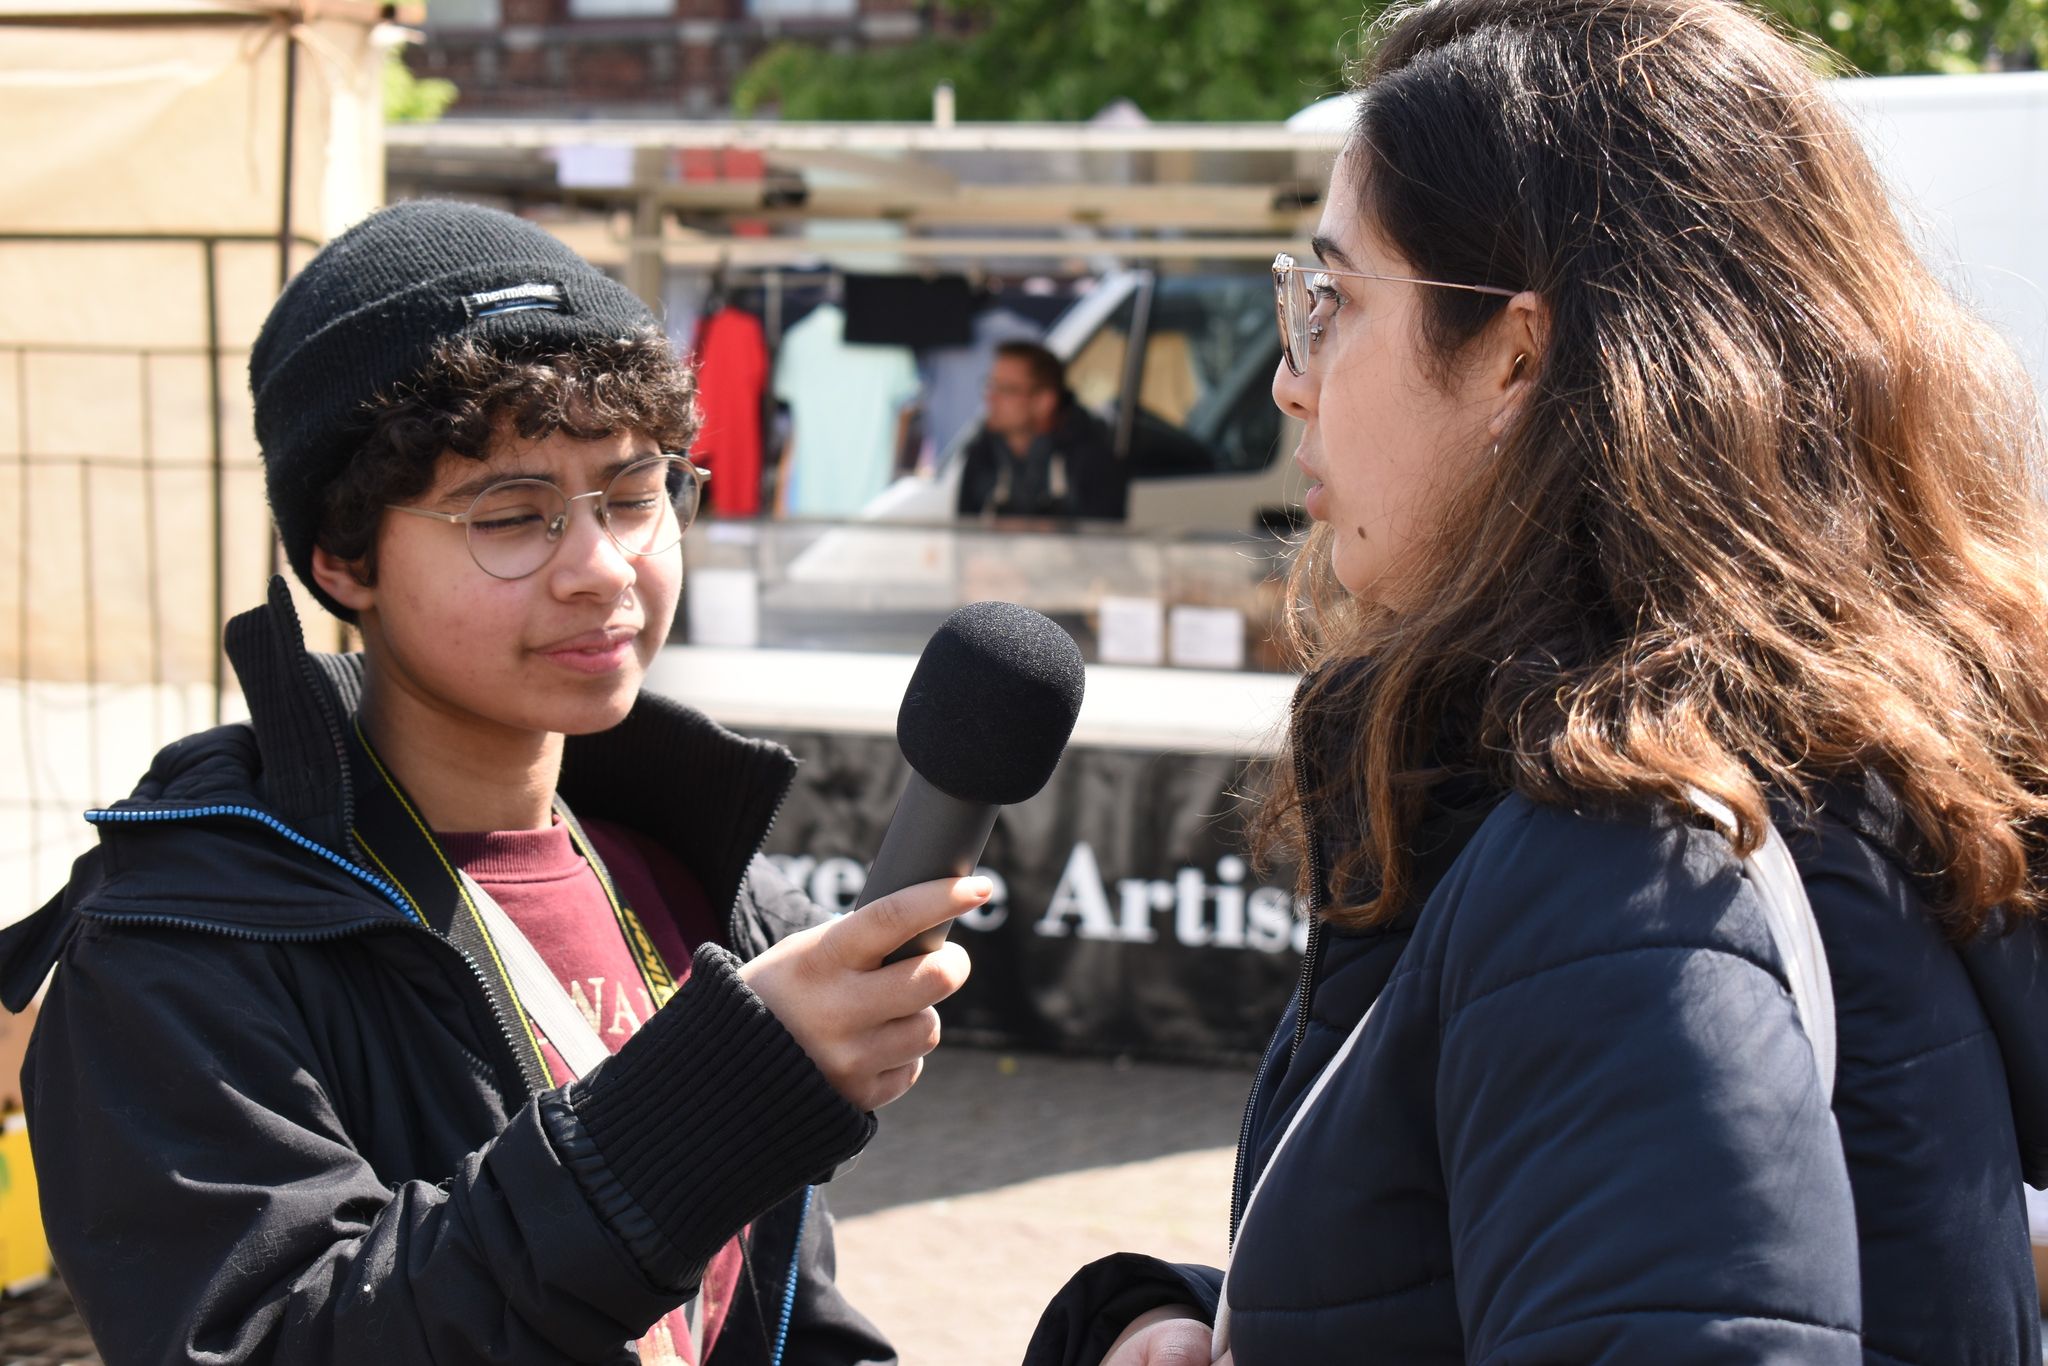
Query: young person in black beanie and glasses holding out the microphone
[[447, 1011]]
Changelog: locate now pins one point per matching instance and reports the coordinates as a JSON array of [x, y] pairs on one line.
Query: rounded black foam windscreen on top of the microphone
[[992, 703]]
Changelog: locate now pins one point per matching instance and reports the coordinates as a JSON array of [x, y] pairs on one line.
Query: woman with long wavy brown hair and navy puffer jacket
[[1662, 501]]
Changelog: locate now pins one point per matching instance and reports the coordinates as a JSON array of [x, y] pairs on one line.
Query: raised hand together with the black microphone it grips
[[984, 724]]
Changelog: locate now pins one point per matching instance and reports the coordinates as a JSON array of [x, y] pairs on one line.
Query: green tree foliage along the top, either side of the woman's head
[[1263, 58]]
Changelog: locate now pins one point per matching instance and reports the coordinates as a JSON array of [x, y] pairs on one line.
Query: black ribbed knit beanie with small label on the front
[[370, 310]]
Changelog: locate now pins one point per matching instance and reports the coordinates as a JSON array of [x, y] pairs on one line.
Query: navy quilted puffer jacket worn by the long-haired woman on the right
[[1584, 1123]]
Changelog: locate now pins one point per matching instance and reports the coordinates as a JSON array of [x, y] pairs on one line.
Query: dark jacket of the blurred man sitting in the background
[[1068, 472]]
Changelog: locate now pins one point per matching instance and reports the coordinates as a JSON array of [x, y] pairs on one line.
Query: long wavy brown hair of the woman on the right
[[1773, 513]]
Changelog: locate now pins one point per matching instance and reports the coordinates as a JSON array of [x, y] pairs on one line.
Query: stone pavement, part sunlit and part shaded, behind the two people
[[988, 1185]]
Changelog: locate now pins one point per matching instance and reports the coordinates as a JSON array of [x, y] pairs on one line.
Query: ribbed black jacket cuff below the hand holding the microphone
[[703, 1121]]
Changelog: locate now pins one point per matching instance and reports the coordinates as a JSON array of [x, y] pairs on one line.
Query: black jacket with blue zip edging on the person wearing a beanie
[[278, 1119]]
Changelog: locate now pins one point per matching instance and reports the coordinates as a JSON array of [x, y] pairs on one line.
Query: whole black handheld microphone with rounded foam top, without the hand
[[984, 722]]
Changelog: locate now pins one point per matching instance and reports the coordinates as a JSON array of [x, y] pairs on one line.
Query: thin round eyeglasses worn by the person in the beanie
[[517, 525]]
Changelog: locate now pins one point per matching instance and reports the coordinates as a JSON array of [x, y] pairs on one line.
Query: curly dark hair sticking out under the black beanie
[[468, 394]]
